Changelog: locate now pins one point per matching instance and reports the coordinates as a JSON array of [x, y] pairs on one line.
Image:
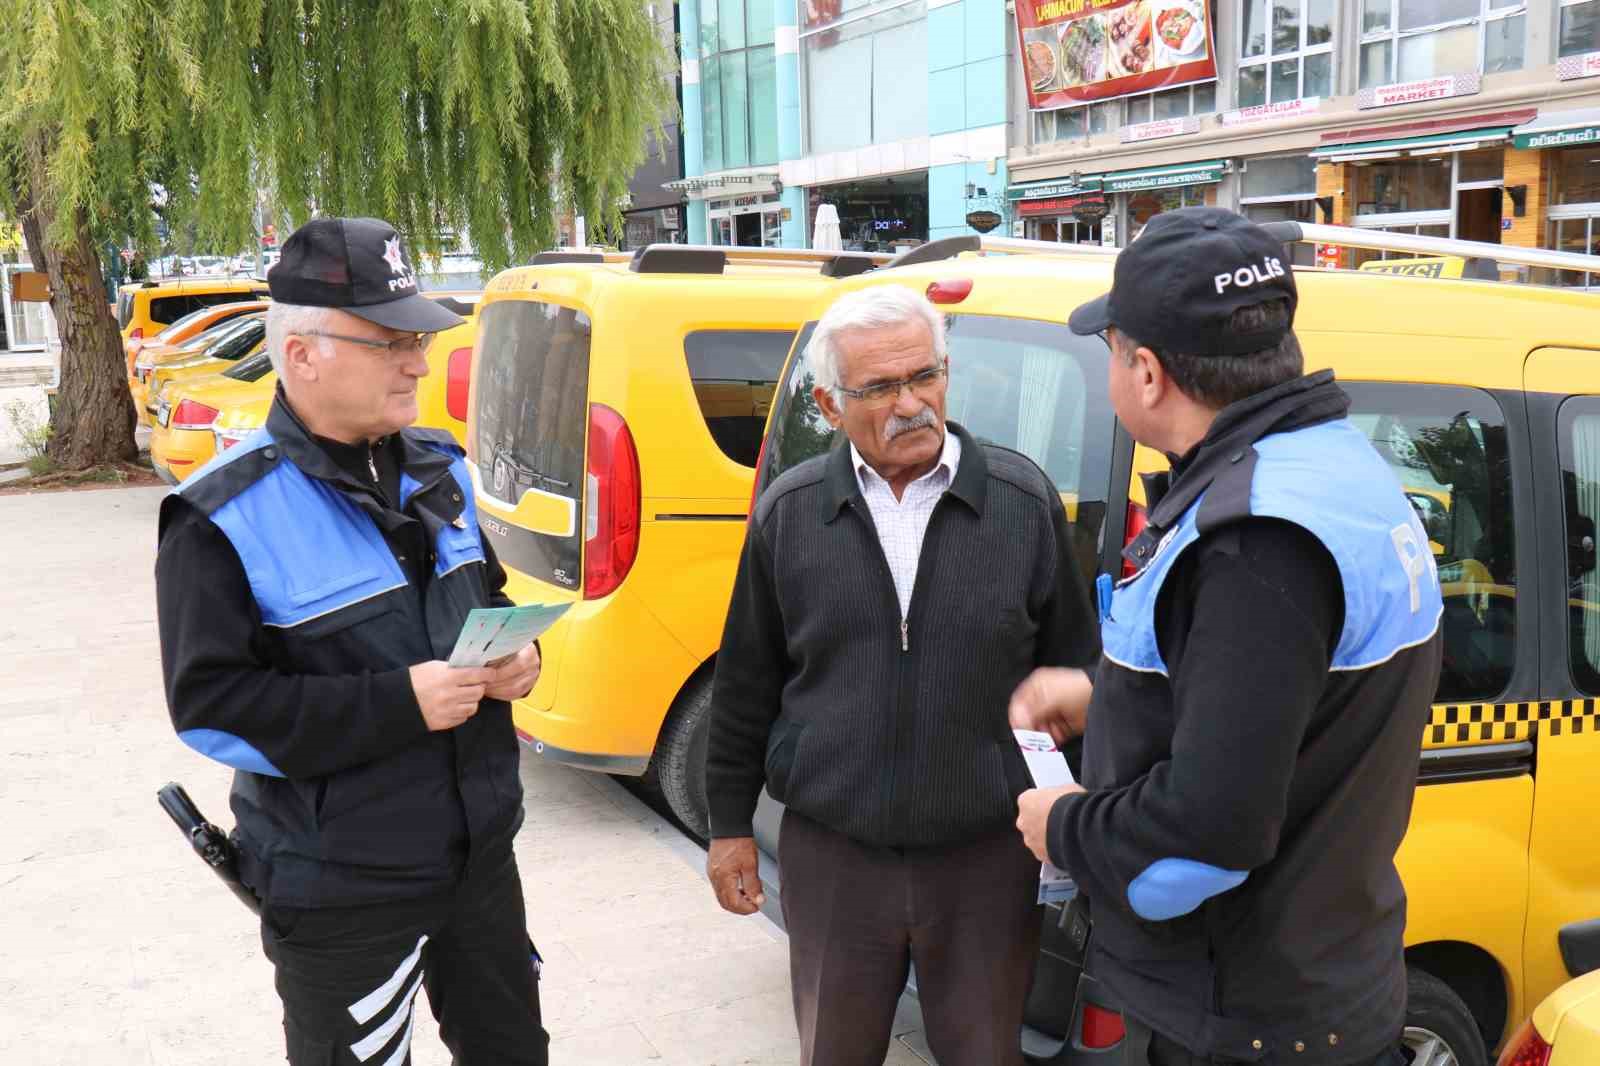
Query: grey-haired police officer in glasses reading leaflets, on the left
[[310, 583]]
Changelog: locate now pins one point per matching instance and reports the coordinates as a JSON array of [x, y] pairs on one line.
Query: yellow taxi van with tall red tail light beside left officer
[[617, 417]]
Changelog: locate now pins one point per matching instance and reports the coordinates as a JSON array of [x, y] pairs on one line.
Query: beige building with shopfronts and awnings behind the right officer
[[1473, 119]]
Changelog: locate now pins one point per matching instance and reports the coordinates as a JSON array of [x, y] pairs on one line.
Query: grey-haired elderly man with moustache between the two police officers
[[890, 598]]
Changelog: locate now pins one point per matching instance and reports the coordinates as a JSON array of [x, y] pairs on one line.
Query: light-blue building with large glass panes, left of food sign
[[892, 111]]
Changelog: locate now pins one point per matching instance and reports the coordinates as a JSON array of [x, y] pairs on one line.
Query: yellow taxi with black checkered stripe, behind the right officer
[[1486, 401]]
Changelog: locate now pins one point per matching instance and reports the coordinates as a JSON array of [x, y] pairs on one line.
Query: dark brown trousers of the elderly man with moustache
[[858, 916]]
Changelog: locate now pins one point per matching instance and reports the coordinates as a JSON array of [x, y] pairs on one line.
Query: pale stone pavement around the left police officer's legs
[[116, 947]]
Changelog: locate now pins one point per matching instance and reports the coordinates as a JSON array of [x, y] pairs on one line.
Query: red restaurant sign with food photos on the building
[[1086, 50]]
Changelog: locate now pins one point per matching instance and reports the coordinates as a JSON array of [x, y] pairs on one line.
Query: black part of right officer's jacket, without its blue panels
[[1252, 755]]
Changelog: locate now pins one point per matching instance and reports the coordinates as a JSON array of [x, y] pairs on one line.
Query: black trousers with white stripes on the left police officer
[[350, 977]]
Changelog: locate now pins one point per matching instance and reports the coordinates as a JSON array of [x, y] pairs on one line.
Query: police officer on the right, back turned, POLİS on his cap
[[1252, 727]]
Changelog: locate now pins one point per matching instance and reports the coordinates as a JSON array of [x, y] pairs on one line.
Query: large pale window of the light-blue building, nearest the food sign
[[866, 76]]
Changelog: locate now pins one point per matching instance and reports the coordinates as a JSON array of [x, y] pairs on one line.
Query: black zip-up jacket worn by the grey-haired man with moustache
[[897, 743]]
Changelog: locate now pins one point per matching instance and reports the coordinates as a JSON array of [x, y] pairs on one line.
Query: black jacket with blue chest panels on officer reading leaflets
[[342, 793]]
